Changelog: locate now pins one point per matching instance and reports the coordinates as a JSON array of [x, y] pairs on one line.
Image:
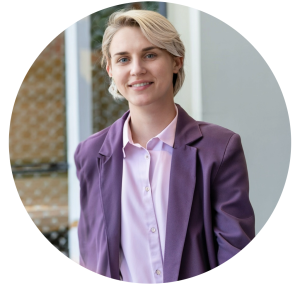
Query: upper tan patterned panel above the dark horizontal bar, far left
[[37, 129]]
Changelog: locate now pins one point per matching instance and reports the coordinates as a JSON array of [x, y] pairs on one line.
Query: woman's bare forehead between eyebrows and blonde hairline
[[128, 39]]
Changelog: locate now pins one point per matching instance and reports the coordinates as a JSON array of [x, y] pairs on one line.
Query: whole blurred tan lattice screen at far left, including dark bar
[[38, 143]]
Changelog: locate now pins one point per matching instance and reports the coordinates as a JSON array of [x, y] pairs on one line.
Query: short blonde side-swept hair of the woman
[[156, 28]]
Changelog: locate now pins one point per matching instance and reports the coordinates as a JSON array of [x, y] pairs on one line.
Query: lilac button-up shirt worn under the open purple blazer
[[144, 204]]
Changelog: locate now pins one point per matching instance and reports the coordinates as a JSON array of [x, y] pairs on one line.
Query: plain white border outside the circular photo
[[267, 268]]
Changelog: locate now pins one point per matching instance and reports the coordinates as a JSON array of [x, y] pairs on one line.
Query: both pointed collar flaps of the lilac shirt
[[167, 135]]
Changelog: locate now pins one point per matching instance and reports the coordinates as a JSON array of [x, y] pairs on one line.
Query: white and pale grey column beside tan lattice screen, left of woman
[[78, 113]]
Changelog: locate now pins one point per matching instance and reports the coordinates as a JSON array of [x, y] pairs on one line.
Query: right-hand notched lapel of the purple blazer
[[181, 192]]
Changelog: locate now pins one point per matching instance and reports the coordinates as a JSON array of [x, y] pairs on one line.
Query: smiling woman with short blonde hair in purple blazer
[[163, 197]]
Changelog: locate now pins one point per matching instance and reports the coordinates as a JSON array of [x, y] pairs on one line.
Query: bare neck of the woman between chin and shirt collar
[[148, 121]]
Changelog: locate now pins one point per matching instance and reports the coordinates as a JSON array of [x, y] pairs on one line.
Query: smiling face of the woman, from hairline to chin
[[143, 73]]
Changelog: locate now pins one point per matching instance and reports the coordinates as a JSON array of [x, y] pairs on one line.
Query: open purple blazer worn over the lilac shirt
[[209, 220]]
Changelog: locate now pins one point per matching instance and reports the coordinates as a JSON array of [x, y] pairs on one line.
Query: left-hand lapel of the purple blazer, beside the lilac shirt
[[110, 163]]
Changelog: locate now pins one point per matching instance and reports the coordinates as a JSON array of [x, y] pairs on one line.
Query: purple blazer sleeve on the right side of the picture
[[233, 214]]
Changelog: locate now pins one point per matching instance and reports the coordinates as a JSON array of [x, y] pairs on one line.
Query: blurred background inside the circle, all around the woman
[[64, 99]]
